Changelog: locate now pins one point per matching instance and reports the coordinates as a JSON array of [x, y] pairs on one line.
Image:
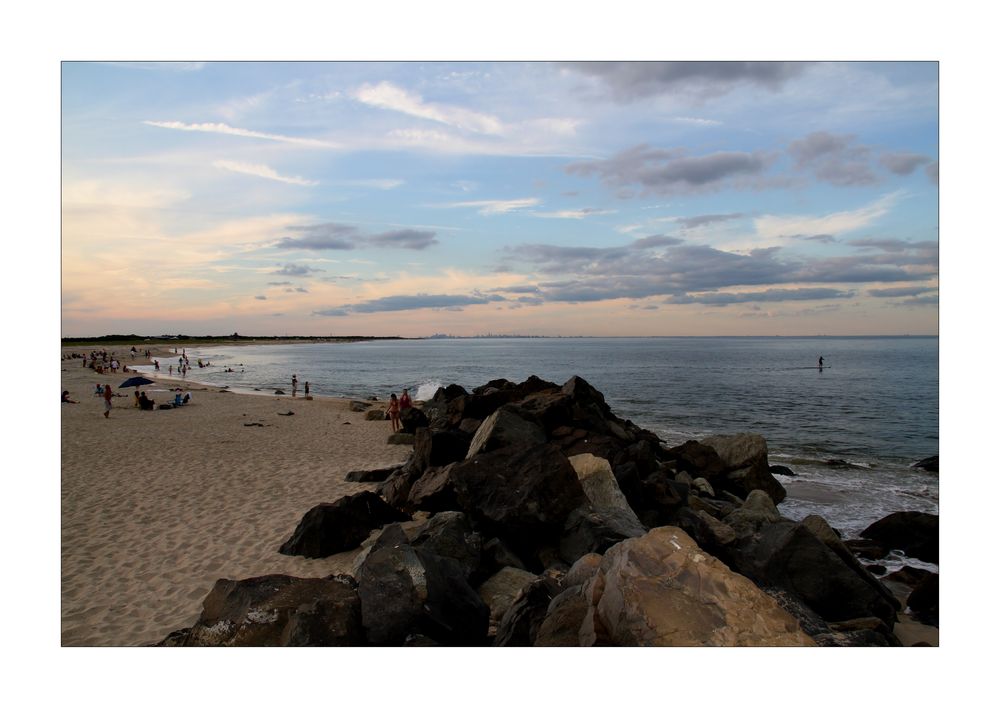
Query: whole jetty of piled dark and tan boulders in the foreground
[[529, 514]]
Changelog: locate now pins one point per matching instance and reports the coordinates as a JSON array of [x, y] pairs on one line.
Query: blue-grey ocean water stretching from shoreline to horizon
[[873, 406]]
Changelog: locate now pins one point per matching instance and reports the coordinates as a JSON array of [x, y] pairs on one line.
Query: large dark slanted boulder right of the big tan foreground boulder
[[788, 555]]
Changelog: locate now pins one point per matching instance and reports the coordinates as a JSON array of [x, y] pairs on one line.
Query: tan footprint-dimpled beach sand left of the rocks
[[158, 505]]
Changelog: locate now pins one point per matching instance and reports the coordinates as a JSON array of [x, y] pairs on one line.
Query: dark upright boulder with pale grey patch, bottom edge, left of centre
[[406, 590]]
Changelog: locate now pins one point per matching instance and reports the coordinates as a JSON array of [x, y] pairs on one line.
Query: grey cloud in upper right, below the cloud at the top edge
[[661, 171]]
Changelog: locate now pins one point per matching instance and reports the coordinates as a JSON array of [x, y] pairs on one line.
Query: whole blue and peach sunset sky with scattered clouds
[[413, 198]]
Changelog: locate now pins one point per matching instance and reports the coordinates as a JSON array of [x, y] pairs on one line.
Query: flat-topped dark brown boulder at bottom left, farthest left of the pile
[[277, 611]]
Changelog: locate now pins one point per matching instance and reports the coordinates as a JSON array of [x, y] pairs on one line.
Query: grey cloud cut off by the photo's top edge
[[629, 81]]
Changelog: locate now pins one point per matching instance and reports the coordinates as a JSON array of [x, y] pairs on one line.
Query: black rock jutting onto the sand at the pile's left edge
[[331, 528]]
